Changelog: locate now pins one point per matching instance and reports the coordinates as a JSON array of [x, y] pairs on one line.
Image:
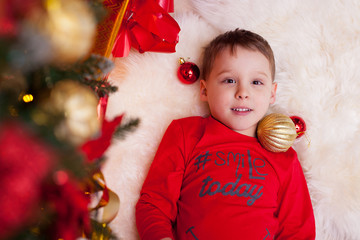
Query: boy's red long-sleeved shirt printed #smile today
[[208, 182]]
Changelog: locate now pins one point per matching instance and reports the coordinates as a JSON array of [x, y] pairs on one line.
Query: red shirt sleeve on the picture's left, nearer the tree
[[156, 209]]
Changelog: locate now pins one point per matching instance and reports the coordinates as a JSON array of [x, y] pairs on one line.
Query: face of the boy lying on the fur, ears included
[[239, 89]]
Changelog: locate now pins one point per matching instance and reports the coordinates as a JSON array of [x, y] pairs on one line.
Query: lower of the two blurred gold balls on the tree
[[78, 103]]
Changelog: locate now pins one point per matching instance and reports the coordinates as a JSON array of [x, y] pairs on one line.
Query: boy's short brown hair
[[233, 39]]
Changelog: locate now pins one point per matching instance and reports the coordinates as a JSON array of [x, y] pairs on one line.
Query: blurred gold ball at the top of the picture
[[70, 27]]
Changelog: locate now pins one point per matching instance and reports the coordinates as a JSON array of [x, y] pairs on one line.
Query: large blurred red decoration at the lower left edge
[[25, 161]]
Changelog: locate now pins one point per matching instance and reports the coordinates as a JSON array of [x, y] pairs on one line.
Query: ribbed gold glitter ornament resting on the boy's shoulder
[[276, 132]]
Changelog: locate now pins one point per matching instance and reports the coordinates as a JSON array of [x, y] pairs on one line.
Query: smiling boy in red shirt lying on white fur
[[210, 178]]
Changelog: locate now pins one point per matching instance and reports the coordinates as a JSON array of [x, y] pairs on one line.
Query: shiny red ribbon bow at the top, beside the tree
[[147, 26]]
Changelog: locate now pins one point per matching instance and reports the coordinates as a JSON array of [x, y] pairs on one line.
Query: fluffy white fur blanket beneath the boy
[[317, 51]]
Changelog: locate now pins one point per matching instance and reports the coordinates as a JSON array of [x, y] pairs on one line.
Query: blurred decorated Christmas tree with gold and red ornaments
[[52, 139]]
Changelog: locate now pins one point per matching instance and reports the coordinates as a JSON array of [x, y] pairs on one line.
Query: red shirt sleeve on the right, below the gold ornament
[[295, 212]]
